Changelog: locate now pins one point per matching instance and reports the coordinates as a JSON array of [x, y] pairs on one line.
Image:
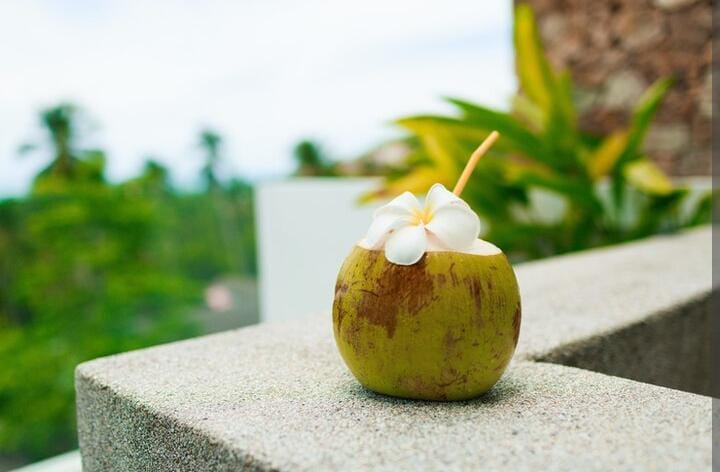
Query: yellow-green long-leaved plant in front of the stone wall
[[605, 189]]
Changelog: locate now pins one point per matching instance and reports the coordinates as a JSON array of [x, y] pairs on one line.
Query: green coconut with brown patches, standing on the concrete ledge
[[444, 328]]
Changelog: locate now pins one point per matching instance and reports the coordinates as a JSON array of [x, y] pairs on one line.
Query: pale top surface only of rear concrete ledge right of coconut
[[580, 296]]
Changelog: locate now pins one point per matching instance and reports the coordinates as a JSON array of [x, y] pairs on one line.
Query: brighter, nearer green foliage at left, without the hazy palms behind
[[80, 280]]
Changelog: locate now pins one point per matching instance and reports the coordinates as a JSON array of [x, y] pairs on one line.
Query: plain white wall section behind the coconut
[[306, 227]]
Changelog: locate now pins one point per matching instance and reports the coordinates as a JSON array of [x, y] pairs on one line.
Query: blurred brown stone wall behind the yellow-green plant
[[616, 49]]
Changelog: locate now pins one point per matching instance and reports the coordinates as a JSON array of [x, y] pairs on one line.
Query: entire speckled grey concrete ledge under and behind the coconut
[[277, 397]]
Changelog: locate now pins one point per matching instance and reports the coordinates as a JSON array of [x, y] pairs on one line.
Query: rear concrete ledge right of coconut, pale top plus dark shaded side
[[640, 311]]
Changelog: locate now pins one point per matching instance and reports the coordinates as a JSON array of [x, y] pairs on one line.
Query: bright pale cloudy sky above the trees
[[264, 73]]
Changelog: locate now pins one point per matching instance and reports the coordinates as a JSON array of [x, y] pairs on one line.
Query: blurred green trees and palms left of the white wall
[[89, 268]]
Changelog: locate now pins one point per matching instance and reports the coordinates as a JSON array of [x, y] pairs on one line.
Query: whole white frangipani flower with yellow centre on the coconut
[[404, 225]]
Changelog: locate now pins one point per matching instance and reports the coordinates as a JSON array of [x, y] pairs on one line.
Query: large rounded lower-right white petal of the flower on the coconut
[[455, 225]]
